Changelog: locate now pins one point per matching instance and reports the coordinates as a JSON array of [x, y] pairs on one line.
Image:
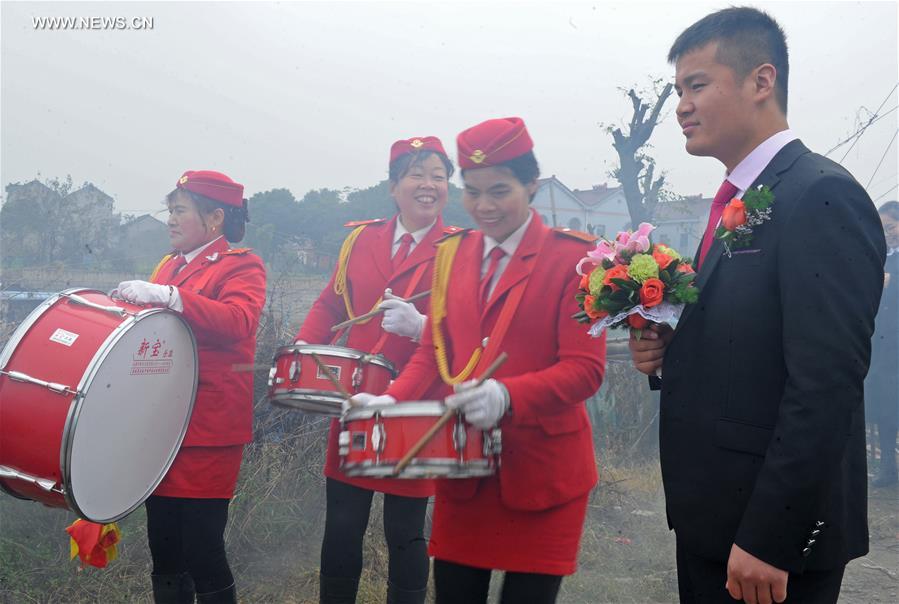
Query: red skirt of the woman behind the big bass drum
[[202, 473]]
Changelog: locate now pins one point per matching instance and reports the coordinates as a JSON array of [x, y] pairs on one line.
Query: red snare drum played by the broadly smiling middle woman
[[296, 380]]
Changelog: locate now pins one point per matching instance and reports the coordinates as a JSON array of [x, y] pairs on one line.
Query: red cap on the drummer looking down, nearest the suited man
[[493, 142]]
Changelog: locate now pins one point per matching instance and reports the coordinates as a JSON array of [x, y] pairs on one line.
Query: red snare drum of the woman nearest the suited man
[[374, 438]]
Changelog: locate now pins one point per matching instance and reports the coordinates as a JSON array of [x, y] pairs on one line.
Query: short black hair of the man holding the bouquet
[[747, 38]]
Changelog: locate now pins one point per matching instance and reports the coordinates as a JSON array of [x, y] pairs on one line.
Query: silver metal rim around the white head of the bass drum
[[65, 449]]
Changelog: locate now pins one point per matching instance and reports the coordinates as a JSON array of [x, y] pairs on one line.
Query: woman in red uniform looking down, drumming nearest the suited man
[[510, 287]]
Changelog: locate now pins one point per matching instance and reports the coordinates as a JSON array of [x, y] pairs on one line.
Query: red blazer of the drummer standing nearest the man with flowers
[[547, 447]]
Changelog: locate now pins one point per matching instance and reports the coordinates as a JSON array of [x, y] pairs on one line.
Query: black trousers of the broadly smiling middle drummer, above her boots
[[345, 523]]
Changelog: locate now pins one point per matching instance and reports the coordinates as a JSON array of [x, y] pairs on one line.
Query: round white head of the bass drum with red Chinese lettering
[[122, 435]]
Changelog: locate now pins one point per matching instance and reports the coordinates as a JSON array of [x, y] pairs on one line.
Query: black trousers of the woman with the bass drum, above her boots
[[188, 535]]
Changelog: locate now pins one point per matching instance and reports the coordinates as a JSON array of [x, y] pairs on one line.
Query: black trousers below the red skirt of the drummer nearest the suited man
[[460, 584]]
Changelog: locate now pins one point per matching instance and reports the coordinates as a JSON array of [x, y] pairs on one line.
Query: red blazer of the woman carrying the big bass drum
[[223, 292]]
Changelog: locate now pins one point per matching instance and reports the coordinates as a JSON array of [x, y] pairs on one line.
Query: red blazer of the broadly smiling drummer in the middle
[[369, 272]]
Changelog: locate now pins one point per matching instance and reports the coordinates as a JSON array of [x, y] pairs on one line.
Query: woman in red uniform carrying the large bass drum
[[220, 292]]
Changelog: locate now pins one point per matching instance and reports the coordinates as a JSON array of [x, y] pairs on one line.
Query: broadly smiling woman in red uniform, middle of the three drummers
[[395, 254]]
